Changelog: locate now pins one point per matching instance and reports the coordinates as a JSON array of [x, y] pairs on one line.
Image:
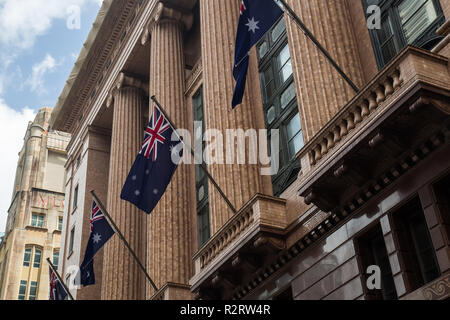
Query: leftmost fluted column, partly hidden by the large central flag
[[122, 278]]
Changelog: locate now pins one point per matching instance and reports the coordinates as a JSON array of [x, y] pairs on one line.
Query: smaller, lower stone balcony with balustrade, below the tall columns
[[240, 247]]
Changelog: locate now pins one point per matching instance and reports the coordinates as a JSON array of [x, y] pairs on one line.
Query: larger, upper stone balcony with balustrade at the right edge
[[393, 123]]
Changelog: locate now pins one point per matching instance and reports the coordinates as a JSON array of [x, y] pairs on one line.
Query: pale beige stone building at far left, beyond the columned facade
[[35, 217]]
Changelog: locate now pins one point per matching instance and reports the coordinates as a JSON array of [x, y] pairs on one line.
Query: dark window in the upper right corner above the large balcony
[[405, 22]]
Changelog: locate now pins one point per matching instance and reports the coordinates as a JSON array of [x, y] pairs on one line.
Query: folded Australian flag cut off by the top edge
[[256, 18]]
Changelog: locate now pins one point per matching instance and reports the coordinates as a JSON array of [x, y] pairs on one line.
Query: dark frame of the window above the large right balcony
[[389, 8]]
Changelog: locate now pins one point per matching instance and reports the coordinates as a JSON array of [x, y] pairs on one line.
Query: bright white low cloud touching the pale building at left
[[13, 125]]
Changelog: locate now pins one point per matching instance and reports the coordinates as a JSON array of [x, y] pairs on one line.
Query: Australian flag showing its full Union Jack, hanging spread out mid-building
[[155, 164]]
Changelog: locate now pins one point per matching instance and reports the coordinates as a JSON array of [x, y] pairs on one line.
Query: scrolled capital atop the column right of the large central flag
[[162, 12]]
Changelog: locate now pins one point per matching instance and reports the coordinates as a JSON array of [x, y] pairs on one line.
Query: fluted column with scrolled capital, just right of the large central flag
[[169, 226]]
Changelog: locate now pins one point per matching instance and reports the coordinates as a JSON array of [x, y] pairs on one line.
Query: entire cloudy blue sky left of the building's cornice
[[39, 43]]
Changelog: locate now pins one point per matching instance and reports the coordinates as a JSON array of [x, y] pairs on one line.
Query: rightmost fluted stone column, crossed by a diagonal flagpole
[[321, 91]]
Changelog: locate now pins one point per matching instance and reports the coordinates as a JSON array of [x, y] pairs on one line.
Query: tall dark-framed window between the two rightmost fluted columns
[[280, 103]]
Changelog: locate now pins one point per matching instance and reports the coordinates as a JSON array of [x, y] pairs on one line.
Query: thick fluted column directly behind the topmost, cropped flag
[[219, 19]]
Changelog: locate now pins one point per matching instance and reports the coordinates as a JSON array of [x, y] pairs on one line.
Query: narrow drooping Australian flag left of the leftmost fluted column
[[100, 233]]
